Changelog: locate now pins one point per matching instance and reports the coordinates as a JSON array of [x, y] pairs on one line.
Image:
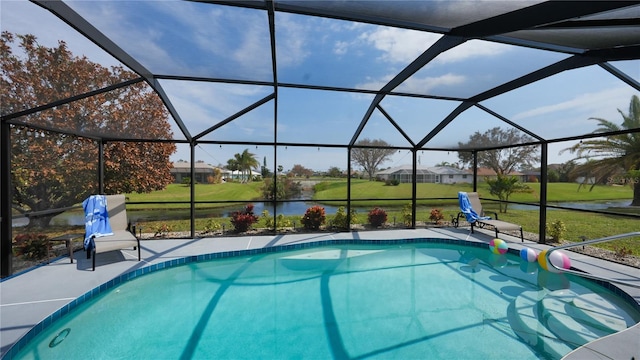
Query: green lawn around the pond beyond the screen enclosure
[[577, 223]]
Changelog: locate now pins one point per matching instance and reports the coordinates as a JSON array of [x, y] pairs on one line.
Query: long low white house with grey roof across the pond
[[434, 174]]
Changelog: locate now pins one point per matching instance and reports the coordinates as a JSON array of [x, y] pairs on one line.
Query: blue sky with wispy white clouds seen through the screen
[[200, 40]]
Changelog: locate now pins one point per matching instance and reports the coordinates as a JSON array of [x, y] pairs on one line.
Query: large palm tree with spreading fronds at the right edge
[[607, 158]]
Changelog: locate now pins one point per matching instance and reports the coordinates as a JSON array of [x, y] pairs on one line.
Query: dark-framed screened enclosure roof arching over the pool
[[421, 75]]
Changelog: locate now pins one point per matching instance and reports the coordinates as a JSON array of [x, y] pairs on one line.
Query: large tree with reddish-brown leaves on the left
[[52, 170]]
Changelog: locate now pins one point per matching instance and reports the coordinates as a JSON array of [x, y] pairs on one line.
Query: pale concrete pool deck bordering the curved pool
[[27, 298]]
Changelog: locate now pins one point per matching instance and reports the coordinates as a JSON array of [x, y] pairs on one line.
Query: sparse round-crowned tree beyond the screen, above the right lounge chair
[[502, 161]]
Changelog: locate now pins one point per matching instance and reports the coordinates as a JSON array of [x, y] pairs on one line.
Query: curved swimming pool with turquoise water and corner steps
[[407, 300]]
